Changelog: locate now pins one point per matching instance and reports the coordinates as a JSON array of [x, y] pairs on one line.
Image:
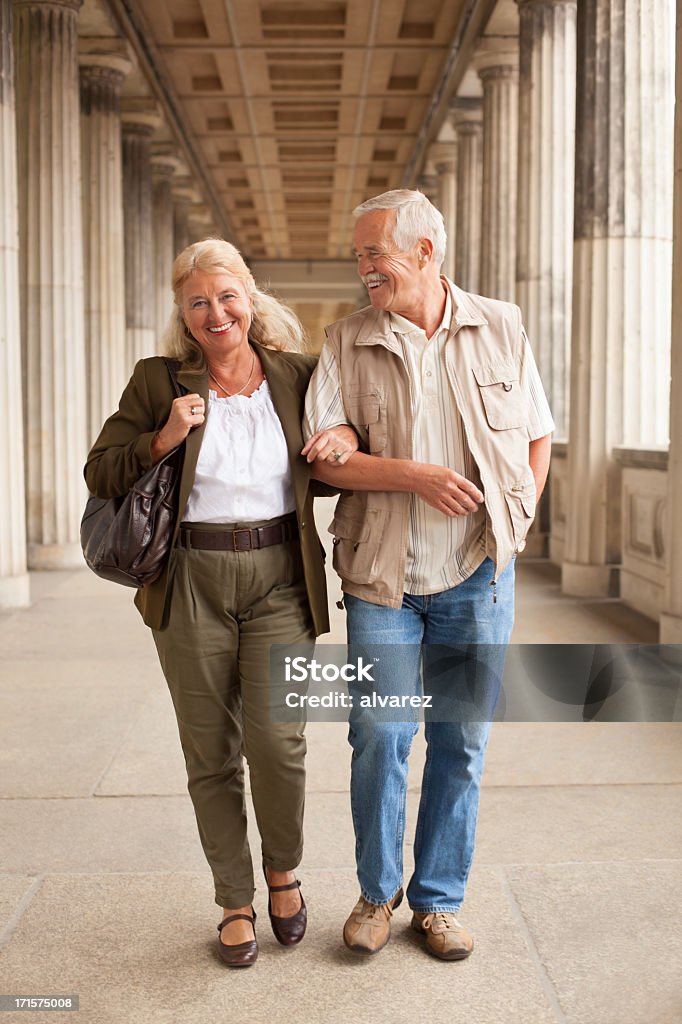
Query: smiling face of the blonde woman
[[218, 312]]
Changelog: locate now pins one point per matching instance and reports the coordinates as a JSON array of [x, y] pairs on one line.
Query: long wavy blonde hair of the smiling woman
[[274, 325]]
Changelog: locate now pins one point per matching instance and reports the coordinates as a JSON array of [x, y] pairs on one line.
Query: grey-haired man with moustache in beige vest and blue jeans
[[443, 390]]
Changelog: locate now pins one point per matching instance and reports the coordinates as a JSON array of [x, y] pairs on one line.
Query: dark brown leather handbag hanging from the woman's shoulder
[[127, 540]]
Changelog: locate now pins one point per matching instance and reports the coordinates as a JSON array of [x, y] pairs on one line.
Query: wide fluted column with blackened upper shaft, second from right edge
[[622, 272]]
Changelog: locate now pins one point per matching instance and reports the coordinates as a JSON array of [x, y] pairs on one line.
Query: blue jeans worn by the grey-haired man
[[423, 628]]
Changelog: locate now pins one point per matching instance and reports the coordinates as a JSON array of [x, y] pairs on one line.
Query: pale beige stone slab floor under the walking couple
[[574, 899]]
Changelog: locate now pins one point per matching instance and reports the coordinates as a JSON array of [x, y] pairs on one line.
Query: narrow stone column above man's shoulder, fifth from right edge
[[468, 120]]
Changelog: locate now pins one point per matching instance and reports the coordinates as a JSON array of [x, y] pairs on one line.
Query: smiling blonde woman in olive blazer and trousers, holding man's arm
[[246, 570]]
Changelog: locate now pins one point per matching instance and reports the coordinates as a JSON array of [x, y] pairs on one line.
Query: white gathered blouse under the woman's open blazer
[[243, 472]]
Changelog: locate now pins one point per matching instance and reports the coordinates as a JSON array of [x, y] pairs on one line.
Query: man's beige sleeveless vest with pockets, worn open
[[484, 360]]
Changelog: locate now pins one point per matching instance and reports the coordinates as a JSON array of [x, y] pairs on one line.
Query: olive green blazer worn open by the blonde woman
[[122, 454]]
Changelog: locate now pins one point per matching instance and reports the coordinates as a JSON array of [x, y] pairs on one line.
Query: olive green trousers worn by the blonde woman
[[227, 609]]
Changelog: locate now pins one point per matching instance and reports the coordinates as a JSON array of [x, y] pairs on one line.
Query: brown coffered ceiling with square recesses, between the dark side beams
[[299, 111]]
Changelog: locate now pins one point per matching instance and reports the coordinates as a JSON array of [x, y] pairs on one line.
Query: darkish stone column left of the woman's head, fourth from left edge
[[140, 121]]
